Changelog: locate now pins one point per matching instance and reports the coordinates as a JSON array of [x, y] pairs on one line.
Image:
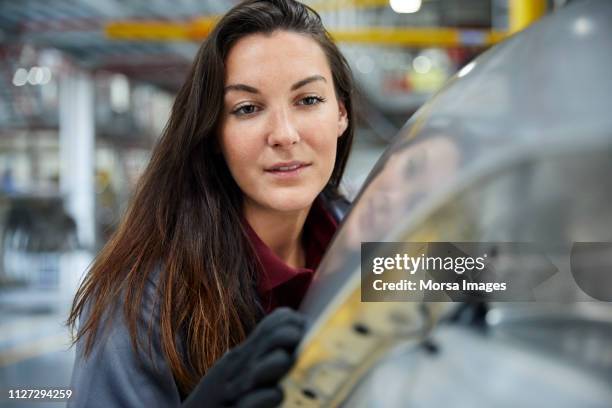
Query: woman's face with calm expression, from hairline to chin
[[281, 120]]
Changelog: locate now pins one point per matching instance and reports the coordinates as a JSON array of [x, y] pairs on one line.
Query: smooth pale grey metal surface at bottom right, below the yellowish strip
[[467, 368]]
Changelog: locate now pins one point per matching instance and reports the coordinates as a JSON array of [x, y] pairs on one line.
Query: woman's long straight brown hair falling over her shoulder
[[185, 216]]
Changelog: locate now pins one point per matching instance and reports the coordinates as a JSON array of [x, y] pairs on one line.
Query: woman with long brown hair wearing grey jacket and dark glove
[[229, 221]]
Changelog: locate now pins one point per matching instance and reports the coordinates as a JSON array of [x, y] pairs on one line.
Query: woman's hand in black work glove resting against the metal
[[247, 376]]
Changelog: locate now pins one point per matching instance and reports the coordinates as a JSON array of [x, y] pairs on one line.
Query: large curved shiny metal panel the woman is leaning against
[[517, 147]]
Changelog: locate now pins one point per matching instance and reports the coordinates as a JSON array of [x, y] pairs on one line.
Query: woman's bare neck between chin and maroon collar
[[280, 231]]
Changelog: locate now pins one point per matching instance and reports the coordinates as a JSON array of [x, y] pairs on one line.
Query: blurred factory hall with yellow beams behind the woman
[[86, 87]]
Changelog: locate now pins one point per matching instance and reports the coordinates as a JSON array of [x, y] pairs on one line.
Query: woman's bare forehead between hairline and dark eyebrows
[[279, 56]]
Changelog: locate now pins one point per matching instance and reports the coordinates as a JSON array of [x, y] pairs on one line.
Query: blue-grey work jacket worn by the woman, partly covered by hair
[[114, 376]]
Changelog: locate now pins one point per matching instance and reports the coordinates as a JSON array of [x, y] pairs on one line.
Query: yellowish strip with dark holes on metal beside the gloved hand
[[337, 356]]
